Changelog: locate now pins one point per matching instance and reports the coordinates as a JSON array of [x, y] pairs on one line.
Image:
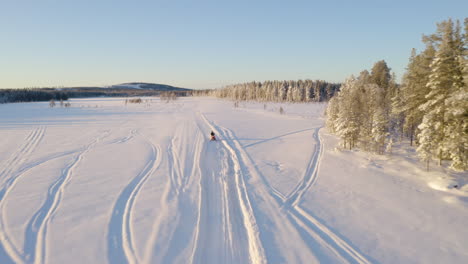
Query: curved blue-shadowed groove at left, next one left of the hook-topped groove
[[36, 230]]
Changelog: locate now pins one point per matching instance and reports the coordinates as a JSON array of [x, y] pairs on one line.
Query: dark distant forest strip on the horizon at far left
[[30, 95]]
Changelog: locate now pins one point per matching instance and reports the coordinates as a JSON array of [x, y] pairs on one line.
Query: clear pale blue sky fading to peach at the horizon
[[208, 44]]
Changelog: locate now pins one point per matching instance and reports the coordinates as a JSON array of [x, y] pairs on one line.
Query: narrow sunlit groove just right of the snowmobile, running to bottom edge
[[256, 250]]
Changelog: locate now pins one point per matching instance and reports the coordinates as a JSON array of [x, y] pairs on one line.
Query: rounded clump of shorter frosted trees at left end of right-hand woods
[[358, 114]]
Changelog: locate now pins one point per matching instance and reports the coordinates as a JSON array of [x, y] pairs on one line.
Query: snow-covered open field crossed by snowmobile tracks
[[105, 182]]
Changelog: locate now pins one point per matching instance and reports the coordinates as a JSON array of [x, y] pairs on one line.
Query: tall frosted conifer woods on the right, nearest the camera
[[430, 107]]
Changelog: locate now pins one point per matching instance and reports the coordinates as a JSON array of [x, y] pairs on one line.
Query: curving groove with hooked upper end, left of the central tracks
[[121, 247]]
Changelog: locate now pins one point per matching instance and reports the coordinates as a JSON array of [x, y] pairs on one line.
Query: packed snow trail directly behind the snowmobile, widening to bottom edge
[[223, 234]]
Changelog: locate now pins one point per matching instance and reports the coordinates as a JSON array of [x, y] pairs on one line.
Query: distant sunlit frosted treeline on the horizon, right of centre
[[280, 91]]
